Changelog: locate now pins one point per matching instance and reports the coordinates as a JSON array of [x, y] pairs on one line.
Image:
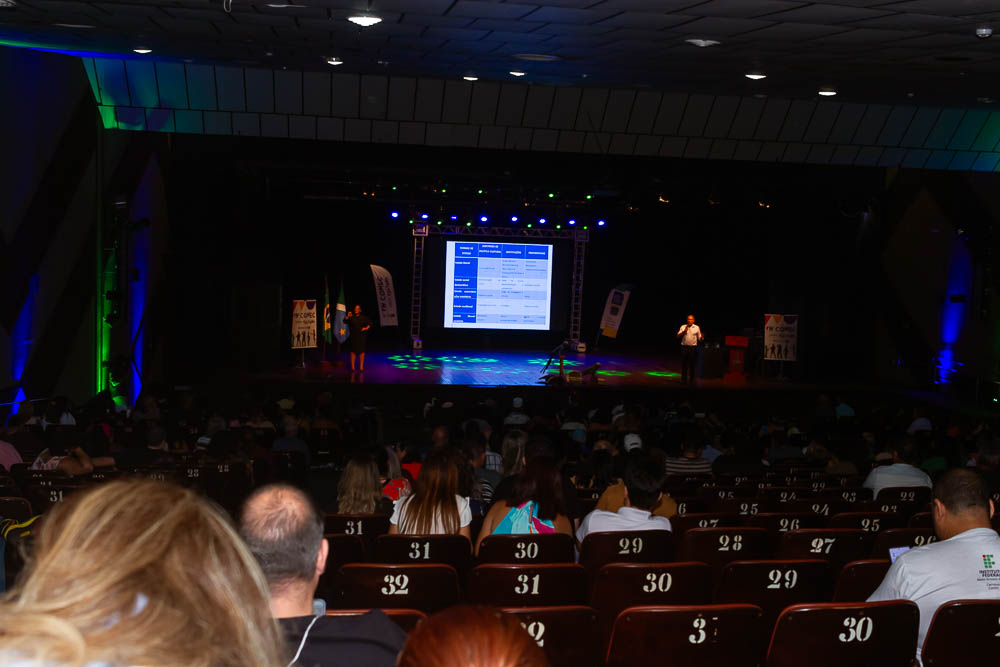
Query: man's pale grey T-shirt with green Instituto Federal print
[[964, 567]]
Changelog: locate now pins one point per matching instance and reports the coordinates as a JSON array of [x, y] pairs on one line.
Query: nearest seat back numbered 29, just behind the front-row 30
[[773, 585]]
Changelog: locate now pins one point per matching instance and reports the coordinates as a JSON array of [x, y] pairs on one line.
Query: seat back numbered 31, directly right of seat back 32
[[545, 584]]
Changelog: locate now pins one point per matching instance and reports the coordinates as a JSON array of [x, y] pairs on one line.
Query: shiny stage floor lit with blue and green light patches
[[481, 368]]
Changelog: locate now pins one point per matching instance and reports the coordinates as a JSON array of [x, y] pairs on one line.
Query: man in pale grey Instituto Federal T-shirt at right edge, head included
[[963, 565]]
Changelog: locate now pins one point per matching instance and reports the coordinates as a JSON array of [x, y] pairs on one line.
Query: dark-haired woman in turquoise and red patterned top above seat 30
[[535, 505]]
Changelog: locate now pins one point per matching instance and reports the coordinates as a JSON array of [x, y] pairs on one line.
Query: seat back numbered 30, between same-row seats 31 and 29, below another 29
[[622, 585]]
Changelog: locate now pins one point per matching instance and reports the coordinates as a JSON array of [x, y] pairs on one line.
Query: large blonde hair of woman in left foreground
[[137, 572]]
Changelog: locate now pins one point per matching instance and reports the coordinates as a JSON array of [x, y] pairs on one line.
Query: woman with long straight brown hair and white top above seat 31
[[434, 507]]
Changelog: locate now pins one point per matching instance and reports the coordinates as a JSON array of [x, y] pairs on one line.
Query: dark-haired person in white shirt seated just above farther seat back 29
[[643, 490]]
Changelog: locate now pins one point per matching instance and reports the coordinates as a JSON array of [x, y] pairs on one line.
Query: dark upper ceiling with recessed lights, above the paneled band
[[868, 50]]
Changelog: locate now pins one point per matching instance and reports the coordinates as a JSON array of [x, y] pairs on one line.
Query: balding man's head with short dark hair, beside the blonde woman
[[284, 531]]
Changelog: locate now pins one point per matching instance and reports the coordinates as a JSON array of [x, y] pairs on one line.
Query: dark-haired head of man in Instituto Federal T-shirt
[[961, 502]]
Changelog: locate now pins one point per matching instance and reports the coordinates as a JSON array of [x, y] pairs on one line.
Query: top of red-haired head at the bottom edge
[[467, 636]]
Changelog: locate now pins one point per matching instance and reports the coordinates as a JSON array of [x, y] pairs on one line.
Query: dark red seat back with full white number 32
[[429, 588]]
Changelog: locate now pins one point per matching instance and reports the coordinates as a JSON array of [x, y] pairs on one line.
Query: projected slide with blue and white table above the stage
[[497, 286]]
